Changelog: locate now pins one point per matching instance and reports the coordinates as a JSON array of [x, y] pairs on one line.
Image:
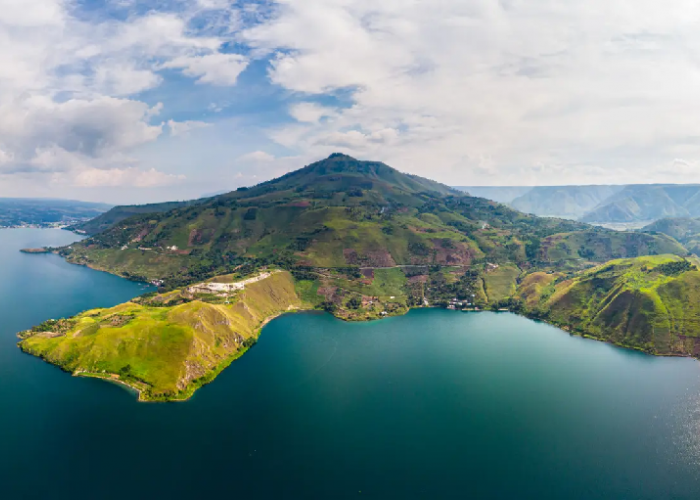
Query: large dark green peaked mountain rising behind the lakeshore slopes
[[343, 212]]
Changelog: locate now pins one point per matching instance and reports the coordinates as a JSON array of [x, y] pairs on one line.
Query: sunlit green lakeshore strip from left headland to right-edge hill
[[166, 345]]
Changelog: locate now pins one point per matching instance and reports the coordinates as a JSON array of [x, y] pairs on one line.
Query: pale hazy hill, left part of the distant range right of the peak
[[570, 202]]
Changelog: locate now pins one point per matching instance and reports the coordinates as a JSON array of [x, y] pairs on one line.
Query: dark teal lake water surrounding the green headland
[[434, 404]]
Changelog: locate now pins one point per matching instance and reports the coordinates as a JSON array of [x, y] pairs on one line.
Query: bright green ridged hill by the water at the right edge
[[649, 303]]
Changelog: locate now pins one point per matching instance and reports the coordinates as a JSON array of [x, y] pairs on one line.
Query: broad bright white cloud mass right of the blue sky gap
[[482, 91]]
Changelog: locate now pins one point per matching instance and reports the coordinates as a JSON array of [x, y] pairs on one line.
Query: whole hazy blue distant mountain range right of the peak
[[599, 204]]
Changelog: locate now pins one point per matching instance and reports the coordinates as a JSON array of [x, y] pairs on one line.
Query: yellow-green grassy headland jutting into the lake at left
[[168, 345]]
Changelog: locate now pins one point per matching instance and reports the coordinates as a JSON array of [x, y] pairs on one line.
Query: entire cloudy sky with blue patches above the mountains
[[133, 101]]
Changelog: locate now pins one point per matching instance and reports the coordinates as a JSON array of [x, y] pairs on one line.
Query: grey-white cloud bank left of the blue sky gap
[[67, 84]]
